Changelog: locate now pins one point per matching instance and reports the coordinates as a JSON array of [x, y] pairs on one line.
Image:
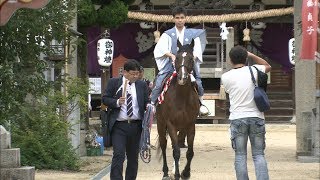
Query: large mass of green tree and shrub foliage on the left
[[36, 125]]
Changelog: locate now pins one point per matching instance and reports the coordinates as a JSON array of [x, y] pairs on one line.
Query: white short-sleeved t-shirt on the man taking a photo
[[239, 86]]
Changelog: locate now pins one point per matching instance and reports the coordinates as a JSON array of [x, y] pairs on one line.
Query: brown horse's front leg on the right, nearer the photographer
[[190, 139]]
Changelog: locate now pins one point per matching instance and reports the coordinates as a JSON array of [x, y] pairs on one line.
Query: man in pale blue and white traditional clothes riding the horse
[[166, 50]]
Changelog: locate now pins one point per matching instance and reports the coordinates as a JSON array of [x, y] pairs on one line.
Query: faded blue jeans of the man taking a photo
[[254, 128]]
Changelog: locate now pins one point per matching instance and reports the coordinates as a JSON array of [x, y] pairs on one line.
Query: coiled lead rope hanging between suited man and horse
[[145, 147]]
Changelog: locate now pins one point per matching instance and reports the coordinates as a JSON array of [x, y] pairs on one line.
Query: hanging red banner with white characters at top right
[[309, 15]]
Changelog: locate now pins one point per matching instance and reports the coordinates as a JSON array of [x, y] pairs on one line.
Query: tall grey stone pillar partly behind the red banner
[[305, 85]]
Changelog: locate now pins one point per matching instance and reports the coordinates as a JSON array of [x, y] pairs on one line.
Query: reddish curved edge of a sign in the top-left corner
[[8, 7]]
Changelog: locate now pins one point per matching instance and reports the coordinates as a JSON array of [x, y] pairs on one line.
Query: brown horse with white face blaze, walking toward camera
[[179, 111]]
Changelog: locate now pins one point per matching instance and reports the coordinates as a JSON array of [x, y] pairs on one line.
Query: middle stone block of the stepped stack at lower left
[[10, 158]]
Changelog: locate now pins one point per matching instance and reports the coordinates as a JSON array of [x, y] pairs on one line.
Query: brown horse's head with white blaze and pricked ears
[[184, 62]]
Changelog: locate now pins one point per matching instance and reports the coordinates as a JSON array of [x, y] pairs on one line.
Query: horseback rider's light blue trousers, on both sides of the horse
[[168, 69]]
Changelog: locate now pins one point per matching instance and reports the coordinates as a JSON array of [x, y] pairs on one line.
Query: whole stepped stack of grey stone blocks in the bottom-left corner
[[10, 167]]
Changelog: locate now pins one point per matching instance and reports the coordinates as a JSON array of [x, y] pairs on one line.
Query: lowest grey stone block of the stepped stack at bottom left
[[25, 173]]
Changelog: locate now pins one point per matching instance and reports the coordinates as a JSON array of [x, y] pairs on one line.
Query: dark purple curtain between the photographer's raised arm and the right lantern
[[275, 44]]
